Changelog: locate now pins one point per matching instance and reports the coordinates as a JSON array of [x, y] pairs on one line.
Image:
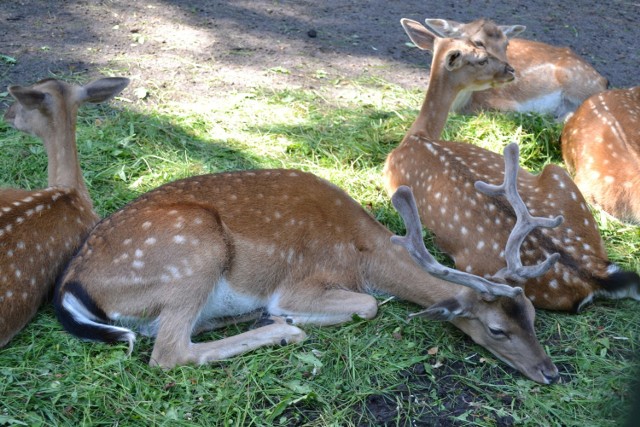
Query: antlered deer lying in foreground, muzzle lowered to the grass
[[210, 250]]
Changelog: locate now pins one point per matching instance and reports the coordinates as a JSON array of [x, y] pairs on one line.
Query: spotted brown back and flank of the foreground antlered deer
[[250, 222]]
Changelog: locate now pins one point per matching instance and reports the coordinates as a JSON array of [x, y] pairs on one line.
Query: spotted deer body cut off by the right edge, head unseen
[[601, 147]]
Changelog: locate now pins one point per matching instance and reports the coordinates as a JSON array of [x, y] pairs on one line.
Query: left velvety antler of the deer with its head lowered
[[405, 204]]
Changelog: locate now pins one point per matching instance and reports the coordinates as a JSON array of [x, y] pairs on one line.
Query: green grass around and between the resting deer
[[385, 371]]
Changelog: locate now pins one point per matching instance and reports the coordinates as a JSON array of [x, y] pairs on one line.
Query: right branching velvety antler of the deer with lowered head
[[525, 222]]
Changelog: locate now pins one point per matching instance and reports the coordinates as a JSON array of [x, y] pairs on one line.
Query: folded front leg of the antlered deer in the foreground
[[314, 302]]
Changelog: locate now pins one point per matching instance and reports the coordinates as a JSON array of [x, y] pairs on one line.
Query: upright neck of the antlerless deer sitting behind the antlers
[[440, 95]]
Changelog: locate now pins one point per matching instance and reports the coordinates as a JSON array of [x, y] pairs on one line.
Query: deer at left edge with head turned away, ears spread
[[41, 229]]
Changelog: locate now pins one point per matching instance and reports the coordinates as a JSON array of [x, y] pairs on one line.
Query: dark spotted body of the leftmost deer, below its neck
[[39, 231]]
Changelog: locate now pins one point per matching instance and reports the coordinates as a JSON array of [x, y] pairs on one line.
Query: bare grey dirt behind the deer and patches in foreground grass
[[184, 49]]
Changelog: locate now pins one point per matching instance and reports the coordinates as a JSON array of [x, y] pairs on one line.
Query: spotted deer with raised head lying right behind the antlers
[[472, 228]]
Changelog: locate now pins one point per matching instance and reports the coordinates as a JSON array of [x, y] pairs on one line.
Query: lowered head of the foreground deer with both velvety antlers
[[478, 316]]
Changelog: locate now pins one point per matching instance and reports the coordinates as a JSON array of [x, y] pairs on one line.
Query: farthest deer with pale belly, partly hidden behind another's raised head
[[549, 79]]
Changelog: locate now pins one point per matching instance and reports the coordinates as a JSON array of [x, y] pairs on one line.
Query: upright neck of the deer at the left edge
[[63, 165]]
